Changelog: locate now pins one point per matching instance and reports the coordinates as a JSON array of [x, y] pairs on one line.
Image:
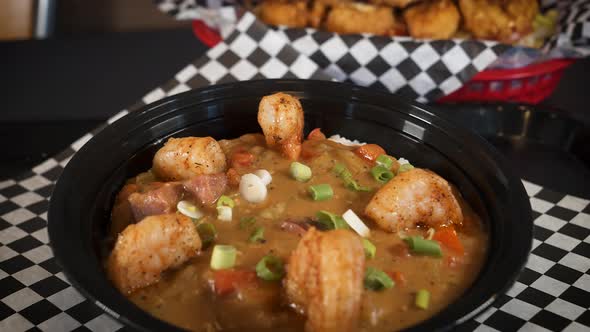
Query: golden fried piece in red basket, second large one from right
[[434, 19]]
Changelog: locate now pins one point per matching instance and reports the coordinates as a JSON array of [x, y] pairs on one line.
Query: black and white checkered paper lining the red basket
[[423, 70]]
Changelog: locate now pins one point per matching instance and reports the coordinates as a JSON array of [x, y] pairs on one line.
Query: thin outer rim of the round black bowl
[[157, 109]]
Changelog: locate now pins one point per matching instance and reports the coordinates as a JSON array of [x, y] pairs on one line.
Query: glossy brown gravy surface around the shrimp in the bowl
[[185, 296]]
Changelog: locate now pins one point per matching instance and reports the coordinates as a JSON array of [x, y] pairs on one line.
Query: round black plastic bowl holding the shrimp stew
[[83, 196]]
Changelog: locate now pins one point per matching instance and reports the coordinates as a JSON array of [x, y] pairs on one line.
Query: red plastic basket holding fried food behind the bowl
[[530, 84]]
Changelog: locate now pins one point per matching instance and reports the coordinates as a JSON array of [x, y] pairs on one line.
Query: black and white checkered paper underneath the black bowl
[[551, 295]]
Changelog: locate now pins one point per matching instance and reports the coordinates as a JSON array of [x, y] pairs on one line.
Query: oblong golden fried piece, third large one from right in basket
[[360, 18]]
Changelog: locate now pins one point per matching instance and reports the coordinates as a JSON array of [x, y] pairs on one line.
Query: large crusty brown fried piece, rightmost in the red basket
[[503, 20]]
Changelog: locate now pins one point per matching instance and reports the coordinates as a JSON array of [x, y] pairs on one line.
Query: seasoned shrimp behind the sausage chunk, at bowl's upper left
[[183, 158]]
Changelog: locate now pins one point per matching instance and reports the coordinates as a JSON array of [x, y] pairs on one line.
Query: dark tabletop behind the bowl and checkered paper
[[54, 91]]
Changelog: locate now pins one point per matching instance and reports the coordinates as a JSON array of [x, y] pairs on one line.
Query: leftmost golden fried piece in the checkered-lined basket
[[291, 14]]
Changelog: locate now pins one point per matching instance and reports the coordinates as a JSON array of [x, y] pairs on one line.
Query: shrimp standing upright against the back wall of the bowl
[[281, 118]]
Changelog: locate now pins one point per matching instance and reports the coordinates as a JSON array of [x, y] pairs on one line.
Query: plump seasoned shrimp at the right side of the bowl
[[414, 197]]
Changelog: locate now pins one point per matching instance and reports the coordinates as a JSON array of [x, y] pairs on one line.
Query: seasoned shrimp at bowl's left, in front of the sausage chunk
[[146, 249]]
